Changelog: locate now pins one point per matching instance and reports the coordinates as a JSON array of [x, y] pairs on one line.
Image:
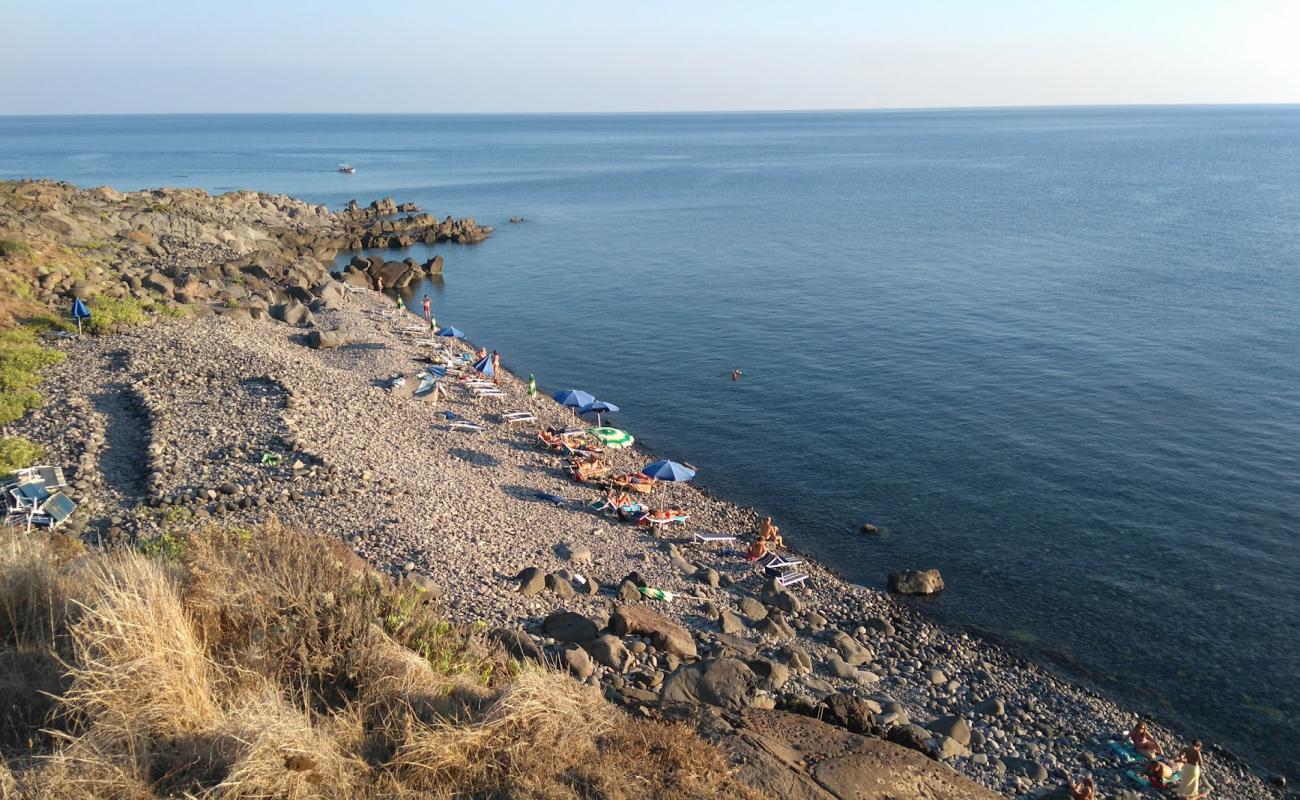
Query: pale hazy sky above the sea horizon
[[102, 57]]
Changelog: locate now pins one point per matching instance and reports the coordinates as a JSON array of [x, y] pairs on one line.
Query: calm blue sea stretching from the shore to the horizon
[[1056, 353]]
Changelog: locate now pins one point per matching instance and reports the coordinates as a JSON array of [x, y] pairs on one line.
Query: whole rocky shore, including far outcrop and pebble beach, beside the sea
[[171, 426]]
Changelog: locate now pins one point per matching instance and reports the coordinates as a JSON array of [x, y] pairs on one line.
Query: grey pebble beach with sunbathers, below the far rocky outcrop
[[189, 410]]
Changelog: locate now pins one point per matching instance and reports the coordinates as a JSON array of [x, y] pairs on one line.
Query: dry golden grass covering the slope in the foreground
[[270, 664]]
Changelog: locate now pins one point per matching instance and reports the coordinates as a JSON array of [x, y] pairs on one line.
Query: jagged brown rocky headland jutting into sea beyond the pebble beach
[[187, 248]]
